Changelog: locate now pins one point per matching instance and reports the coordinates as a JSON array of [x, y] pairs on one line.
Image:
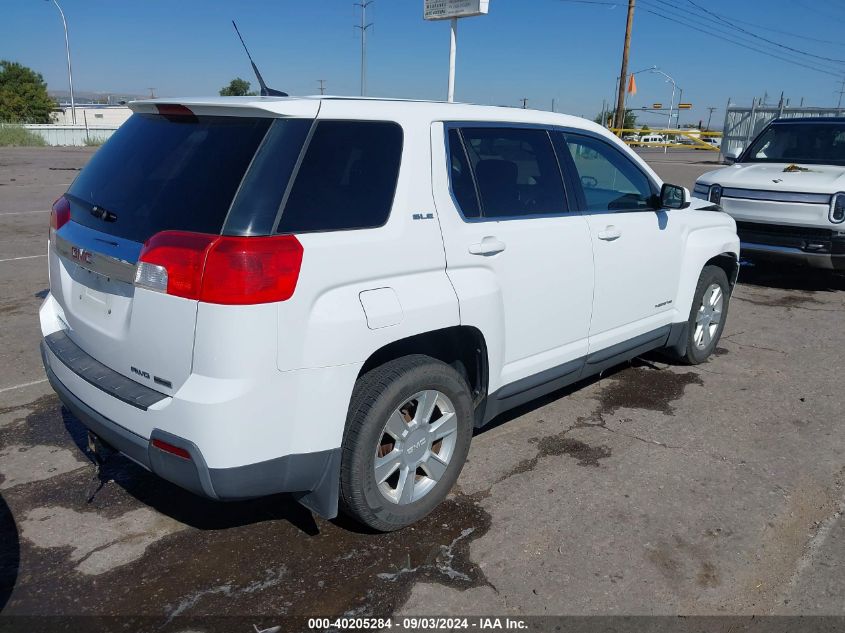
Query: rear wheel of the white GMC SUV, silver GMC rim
[[406, 439]]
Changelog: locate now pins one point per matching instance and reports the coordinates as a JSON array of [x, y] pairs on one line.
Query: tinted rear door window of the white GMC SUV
[[516, 171]]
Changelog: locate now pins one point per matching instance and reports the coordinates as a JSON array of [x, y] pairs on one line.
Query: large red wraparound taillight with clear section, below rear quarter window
[[220, 269]]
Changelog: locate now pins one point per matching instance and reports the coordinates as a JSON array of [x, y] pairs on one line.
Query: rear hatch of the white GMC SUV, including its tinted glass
[[169, 169]]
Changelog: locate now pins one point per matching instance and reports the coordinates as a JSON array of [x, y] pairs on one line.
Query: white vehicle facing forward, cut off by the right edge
[[786, 192]]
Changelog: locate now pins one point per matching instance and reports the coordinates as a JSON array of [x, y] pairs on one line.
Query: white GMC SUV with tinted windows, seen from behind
[[326, 296]]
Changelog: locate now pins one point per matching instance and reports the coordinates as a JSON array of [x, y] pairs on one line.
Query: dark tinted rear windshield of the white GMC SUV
[[161, 173]]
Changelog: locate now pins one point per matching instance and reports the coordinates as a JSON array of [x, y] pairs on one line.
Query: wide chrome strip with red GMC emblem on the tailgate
[[105, 256]]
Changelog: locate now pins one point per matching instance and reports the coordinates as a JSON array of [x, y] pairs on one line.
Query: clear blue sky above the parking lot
[[537, 49]]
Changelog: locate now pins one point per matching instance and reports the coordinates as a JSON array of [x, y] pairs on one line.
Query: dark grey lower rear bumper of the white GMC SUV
[[312, 477]]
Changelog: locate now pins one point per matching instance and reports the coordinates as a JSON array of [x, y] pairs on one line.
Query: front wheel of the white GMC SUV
[[708, 315]]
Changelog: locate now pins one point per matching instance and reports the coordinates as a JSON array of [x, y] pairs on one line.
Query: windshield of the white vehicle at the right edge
[[818, 143]]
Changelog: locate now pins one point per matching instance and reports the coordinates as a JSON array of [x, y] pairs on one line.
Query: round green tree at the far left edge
[[23, 94]]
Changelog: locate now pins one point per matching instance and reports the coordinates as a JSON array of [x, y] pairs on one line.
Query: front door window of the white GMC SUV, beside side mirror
[[610, 181]]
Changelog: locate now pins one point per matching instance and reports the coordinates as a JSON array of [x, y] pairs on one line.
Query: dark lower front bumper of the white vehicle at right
[[819, 248]]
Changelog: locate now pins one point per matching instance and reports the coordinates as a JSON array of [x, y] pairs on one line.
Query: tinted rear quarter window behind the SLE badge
[[347, 178]]
